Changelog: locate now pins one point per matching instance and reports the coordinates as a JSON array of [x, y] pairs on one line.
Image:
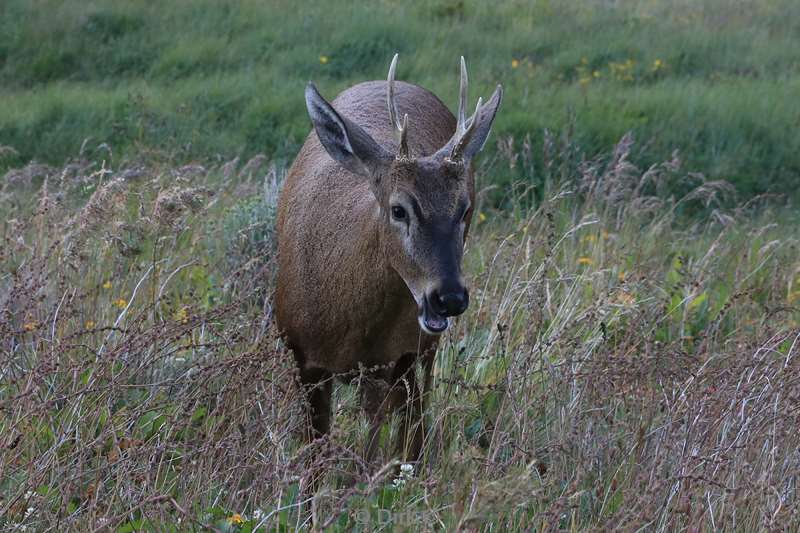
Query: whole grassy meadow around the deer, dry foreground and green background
[[629, 361]]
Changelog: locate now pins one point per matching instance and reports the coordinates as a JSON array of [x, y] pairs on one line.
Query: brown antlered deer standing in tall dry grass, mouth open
[[371, 226]]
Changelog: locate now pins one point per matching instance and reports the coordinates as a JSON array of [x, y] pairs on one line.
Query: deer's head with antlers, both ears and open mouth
[[424, 201]]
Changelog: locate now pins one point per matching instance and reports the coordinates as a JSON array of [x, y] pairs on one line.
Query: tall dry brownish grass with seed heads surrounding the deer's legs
[[623, 366]]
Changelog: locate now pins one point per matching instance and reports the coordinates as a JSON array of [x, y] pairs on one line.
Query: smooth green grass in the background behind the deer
[[207, 80]]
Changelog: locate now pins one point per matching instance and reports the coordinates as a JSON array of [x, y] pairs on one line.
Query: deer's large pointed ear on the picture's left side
[[344, 141]]
